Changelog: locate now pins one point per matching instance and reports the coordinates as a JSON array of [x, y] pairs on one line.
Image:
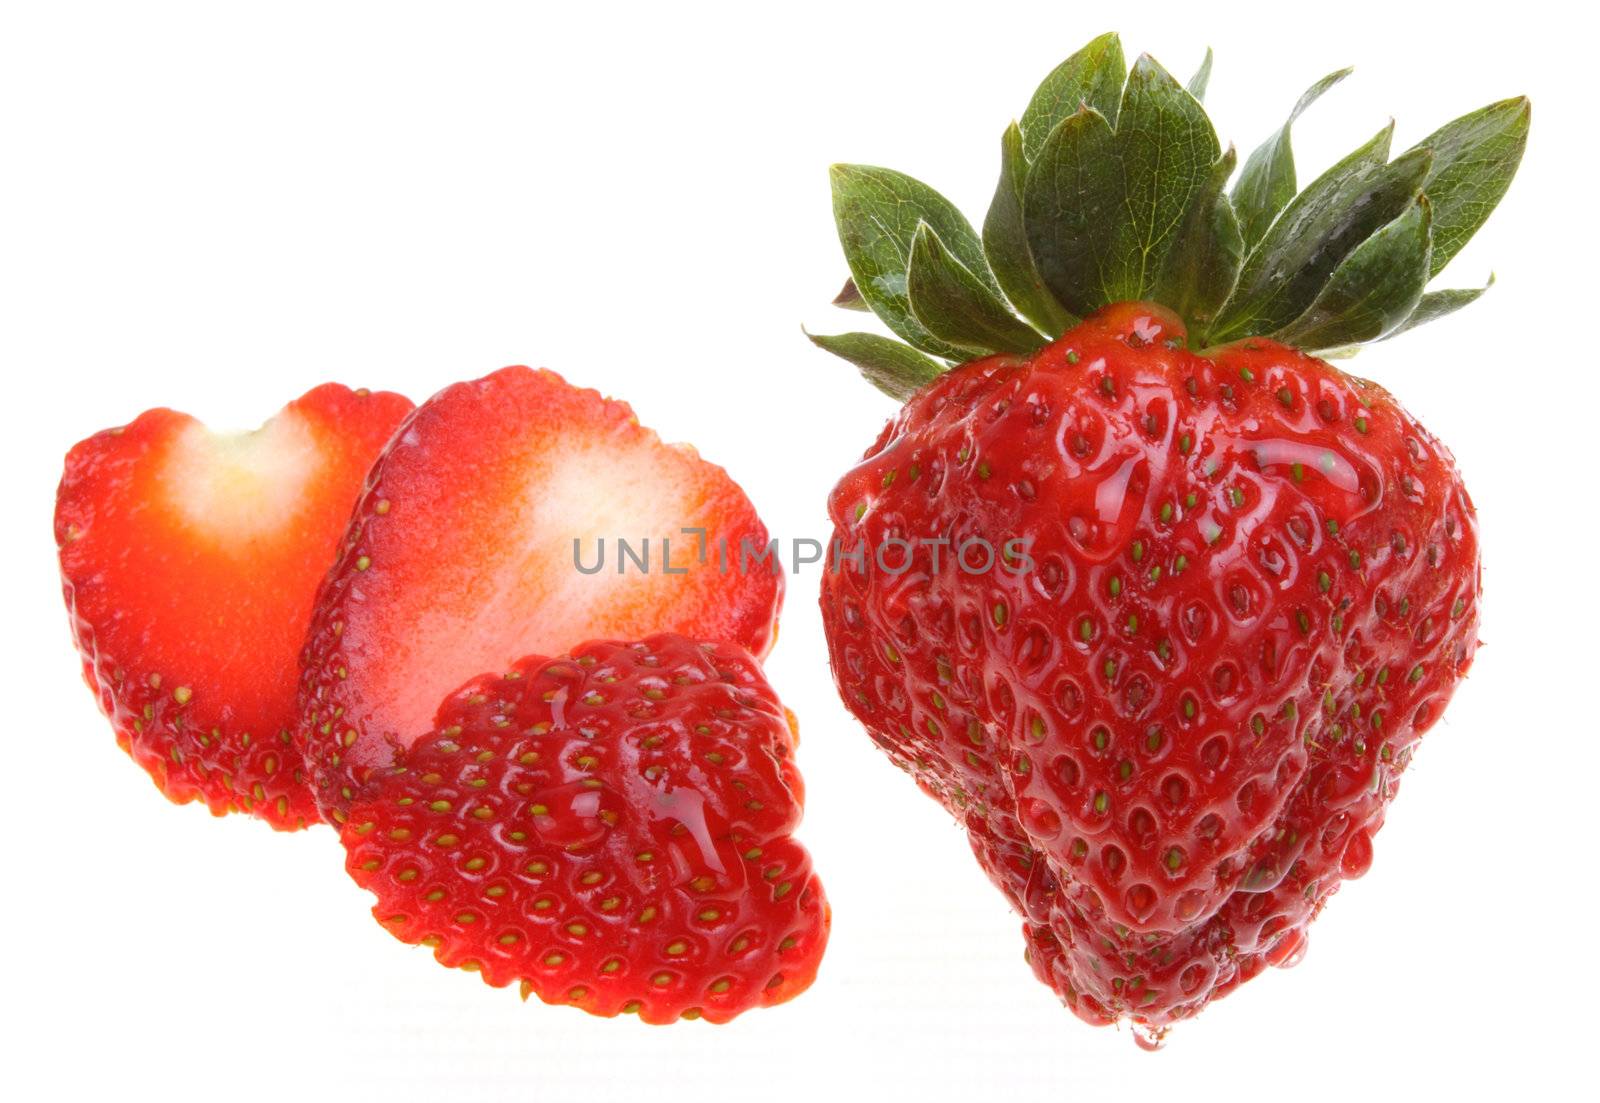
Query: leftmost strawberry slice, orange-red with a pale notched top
[[190, 564]]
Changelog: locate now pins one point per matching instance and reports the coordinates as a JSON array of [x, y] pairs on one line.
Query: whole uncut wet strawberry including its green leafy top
[[1153, 600]]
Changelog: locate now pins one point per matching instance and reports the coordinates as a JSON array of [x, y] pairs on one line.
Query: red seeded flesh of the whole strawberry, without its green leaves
[[1254, 585]]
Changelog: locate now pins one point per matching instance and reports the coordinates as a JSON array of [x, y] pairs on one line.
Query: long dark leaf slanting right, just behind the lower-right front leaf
[[1340, 211]]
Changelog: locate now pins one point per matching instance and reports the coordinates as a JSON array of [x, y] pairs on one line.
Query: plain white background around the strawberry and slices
[[217, 207]]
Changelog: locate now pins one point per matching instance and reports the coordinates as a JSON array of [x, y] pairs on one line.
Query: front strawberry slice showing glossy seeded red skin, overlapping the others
[[612, 830]]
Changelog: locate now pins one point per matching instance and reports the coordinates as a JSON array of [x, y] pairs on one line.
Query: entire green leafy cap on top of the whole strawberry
[[1114, 188]]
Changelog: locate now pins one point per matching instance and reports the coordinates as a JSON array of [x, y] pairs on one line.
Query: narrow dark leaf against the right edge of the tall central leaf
[[1204, 265]]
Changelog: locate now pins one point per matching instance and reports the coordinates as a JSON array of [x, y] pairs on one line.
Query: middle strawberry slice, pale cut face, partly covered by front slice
[[471, 550]]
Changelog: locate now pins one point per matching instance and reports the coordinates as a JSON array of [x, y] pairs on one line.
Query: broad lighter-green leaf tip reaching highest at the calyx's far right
[[1474, 159]]
